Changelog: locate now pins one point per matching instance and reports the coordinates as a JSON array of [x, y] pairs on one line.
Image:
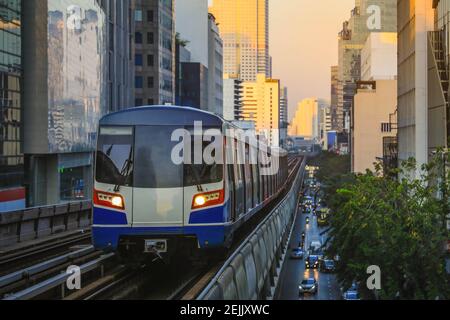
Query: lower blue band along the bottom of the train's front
[[107, 238]]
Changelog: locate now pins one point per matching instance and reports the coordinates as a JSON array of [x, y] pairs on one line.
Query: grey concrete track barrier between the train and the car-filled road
[[252, 271]]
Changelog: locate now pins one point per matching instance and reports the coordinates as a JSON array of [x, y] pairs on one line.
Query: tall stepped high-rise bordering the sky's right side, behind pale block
[[364, 20]]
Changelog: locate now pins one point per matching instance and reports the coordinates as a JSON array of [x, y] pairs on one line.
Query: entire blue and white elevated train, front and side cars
[[146, 201]]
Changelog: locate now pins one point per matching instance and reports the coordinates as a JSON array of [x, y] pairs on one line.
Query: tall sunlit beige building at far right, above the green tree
[[423, 74]]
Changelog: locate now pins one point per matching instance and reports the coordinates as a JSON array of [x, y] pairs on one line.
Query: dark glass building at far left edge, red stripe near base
[[12, 191]]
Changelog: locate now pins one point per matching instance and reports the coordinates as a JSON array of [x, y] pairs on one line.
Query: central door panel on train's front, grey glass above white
[[158, 180]]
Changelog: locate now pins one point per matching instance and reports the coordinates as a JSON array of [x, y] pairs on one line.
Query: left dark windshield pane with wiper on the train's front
[[114, 163]]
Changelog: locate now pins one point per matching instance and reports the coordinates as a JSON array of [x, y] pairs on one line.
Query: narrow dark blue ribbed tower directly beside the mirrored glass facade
[[120, 57]]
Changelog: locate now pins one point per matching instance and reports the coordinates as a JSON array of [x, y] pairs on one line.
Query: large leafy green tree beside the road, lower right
[[396, 224]]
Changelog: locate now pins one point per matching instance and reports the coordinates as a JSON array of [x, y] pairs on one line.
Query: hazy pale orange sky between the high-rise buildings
[[304, 45]]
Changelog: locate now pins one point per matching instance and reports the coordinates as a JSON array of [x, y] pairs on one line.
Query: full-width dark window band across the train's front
[[142, 158]]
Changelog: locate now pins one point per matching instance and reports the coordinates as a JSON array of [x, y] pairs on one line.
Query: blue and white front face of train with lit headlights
[[153, 193]]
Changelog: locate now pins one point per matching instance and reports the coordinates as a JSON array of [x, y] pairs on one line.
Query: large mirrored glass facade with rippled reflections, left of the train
[[76, 74]]
